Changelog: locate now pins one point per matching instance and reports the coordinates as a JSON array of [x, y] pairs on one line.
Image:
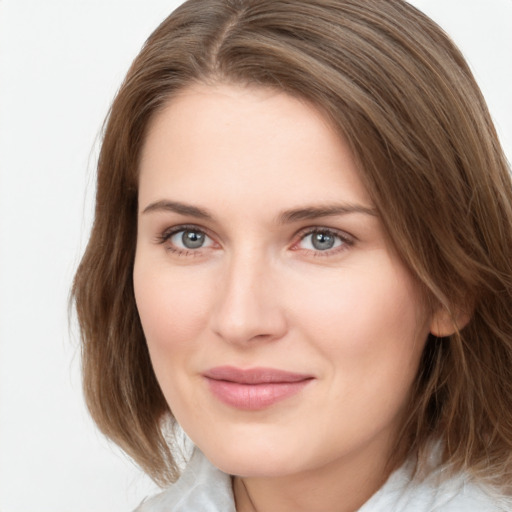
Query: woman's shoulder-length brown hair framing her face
[[403, 97]]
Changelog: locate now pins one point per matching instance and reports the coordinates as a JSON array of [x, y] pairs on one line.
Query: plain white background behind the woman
[[61, 62]]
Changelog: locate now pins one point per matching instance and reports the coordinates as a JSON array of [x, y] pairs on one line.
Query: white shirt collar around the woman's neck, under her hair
[[204, 488]]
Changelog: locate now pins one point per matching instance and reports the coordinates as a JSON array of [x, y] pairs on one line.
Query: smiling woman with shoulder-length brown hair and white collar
[[301, 255]]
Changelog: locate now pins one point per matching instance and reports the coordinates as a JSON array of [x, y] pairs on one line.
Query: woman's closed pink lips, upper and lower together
[[255, 388]]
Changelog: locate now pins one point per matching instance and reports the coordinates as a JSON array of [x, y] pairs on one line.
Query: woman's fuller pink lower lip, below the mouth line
[[253, 397]]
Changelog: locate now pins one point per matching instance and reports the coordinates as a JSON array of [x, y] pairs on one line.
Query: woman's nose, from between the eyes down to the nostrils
[[247, 306]]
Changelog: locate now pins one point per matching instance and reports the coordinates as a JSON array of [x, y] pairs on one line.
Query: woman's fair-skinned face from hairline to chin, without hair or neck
[[283, 329]]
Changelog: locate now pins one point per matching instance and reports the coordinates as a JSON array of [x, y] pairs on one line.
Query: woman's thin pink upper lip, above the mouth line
[[259, 375]]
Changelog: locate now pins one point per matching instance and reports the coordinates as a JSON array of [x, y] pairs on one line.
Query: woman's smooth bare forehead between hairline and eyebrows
[[243, 144]]
